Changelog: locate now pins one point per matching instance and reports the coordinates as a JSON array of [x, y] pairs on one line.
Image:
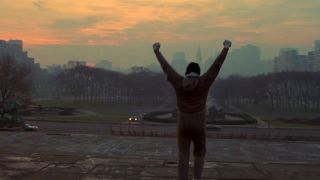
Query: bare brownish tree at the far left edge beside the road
[[14, 80]]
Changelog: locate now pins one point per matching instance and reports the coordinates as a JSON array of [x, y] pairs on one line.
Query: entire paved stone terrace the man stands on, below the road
[[34, 155]]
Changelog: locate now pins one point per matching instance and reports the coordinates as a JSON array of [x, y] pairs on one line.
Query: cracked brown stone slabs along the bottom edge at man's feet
[[69, 167]]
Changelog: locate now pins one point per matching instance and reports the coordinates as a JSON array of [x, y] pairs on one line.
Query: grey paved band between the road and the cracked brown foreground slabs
[[233, 150]]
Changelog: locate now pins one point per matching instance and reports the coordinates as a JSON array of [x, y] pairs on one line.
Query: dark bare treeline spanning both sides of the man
[[93, 85]]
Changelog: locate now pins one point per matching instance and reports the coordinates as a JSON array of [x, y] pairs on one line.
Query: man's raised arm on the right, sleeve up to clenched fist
[[214, 69]]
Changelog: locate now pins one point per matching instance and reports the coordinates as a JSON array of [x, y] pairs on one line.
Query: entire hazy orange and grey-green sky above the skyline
[[55, 31]]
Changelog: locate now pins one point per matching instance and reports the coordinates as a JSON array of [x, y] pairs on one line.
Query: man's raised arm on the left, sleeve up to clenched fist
[[172, 75]]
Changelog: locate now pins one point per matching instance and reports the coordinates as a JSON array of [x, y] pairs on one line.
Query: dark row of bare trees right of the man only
[[300, 90]]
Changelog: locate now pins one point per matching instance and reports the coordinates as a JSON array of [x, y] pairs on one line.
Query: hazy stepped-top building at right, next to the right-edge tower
[[289, 60]]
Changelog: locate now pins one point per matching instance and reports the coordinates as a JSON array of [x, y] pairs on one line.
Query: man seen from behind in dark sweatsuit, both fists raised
[[191, 92]]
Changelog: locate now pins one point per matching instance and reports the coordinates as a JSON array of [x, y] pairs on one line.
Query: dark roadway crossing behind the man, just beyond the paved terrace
[[170, 129]]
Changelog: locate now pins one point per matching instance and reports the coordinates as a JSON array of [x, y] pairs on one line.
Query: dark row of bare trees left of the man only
[[84, 84]]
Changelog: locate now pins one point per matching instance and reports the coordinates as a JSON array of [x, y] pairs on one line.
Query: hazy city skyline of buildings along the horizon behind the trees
[[289, 59]]
